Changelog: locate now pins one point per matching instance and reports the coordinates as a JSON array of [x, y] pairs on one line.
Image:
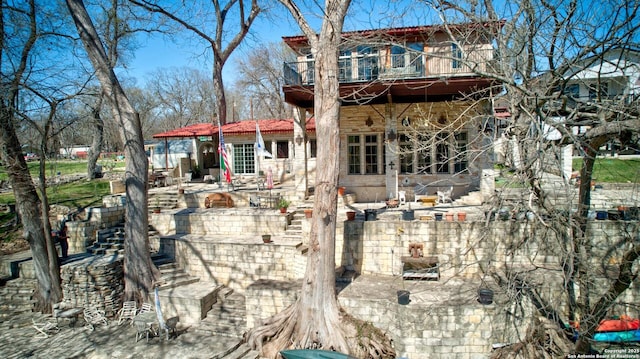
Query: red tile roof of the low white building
[[269, 126]]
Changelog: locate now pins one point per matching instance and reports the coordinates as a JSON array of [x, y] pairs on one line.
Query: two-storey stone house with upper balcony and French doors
[[411, 104]]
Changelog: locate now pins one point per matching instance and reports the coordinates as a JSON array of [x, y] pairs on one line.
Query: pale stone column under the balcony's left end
[[299, 161]]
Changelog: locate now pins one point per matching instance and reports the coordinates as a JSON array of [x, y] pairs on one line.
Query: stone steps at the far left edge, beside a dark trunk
[[17, 297]]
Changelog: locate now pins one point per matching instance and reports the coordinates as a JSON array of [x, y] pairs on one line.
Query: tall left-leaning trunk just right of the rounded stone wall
[[139, 271]]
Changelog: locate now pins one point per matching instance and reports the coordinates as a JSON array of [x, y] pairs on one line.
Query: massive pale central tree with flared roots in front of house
[[315, 319]]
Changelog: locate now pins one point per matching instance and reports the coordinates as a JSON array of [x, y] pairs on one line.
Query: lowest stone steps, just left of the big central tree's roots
[[227, 316]]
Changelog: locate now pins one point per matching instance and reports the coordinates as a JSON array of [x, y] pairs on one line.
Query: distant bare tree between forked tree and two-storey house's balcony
[[261, 79]]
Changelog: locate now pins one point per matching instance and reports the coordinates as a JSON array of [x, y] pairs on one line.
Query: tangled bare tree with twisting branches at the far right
[[563, 71]]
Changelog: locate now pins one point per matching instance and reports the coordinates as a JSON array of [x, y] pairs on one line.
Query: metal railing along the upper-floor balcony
[[411, 65]]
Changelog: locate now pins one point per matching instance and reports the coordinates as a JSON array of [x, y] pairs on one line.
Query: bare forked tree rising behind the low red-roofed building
[[195, 18]]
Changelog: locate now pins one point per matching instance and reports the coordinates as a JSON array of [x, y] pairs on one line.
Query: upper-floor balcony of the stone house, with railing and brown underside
[[406, 77]]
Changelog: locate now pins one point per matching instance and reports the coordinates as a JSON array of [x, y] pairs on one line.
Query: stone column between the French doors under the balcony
[[392, 165]]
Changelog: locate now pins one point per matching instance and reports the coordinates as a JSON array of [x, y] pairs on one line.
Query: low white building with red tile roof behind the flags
[[240, 139]]
